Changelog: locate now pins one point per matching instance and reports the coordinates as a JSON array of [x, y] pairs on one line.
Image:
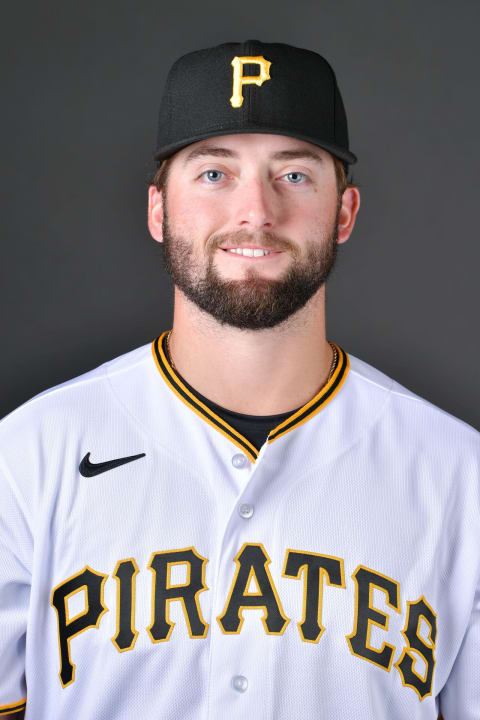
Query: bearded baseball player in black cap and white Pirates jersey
[[241, 519]]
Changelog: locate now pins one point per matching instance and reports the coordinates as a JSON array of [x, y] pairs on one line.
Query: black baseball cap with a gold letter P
[[252, 87]]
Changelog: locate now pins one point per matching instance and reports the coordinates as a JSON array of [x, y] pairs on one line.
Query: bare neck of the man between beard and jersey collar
[[261, 372]]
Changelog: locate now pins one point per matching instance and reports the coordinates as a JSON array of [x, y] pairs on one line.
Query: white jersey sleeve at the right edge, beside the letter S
[[460, 697]]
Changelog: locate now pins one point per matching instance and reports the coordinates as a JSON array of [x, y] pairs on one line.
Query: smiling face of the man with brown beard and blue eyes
[[258, 193]]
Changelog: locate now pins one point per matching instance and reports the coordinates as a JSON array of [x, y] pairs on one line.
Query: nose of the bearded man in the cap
[[255, 205]]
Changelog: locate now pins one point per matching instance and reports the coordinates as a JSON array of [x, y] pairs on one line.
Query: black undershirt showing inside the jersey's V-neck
[[254, 427]]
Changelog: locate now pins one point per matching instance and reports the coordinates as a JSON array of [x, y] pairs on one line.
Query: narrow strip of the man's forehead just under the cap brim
[[259, 145]]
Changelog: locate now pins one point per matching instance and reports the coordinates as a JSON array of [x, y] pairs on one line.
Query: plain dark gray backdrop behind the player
[[81, 279]]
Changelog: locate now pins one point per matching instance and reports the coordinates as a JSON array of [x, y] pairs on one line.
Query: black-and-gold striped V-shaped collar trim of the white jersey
[[313, 406]]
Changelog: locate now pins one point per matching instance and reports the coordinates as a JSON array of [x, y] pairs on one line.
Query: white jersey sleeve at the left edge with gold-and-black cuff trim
[[16, 550]]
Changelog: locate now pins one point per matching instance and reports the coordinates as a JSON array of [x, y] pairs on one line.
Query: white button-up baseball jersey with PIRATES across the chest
[[155, 564]]
